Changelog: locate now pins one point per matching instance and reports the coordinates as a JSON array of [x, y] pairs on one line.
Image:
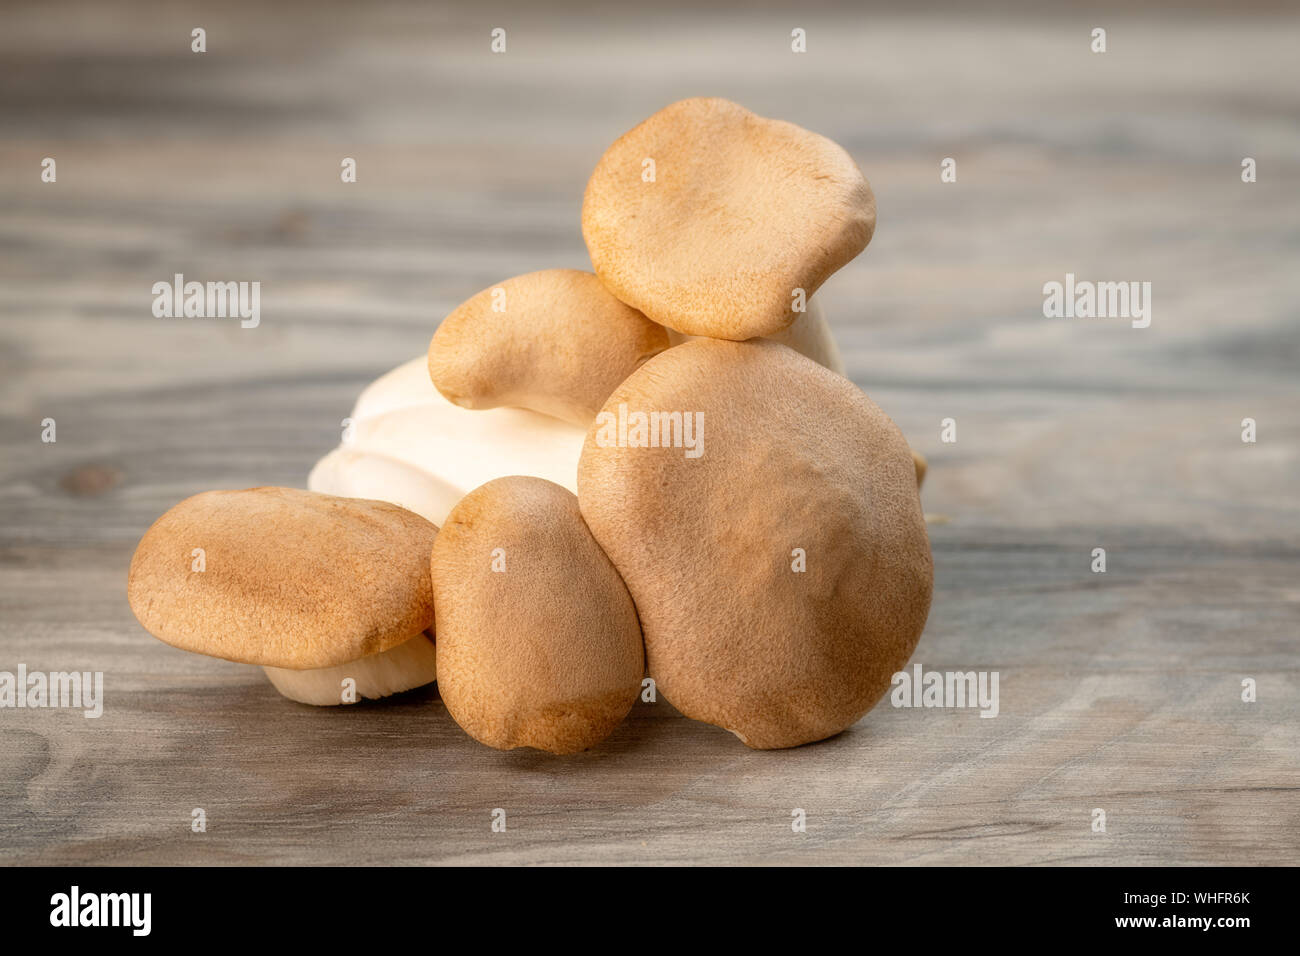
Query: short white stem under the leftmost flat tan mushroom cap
[[404, 668]]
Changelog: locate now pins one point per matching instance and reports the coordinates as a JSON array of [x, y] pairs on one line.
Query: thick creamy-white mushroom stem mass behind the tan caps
[[411, 447]]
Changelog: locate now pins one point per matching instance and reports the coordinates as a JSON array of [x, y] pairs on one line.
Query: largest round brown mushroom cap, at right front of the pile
[[794, 457]]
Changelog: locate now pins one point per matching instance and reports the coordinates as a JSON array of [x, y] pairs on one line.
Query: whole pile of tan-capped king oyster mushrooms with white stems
[[649, 479]]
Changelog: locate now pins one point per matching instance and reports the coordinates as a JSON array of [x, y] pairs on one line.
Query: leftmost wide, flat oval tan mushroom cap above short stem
[[292, 579]]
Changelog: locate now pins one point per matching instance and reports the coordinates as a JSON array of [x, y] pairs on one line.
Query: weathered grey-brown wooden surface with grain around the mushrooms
[[1119, 691]]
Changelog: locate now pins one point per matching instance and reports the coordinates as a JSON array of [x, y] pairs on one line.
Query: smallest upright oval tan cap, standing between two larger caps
[[539, 643]]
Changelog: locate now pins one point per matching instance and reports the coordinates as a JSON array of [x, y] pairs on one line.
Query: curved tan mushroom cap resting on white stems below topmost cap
[[560, 345]]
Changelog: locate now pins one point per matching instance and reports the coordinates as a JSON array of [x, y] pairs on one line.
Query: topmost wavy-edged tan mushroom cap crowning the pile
[[743, 213]]
